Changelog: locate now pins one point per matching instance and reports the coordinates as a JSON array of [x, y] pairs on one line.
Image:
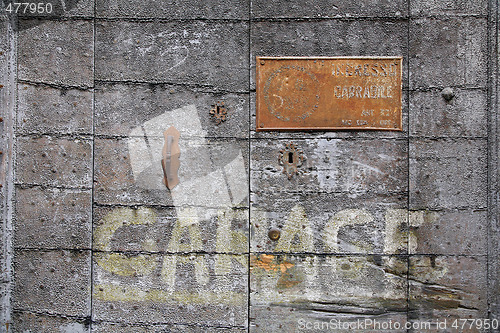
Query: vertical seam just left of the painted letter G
[[91, 316]]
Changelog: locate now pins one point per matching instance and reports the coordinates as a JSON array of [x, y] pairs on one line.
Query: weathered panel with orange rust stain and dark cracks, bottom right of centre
[[288, 291]]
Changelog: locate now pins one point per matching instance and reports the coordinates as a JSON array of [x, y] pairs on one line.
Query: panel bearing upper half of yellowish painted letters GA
[[170, 230]]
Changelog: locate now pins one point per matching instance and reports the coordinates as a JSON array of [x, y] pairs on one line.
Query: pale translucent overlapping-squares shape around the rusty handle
[[198, 188]]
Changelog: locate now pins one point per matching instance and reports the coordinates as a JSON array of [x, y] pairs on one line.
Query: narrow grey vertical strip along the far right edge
[[492, 105]]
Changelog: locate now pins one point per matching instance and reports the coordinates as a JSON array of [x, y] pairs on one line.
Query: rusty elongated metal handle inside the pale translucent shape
[[170, 161]]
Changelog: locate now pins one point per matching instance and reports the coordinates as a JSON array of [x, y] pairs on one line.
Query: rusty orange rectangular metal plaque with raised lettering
[[329, 93]]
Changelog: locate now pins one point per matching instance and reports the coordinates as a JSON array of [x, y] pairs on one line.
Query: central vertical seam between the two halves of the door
[[249, 156]]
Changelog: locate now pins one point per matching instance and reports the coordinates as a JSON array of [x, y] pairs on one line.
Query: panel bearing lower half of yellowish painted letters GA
[[167, 288]]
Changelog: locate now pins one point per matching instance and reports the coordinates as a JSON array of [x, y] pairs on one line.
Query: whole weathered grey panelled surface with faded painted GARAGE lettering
[[377, 226]]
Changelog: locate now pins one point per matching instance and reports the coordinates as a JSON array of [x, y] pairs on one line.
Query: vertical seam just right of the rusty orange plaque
[[407, 63]]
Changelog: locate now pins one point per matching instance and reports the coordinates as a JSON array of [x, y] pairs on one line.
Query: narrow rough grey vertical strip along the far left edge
[[8, 100]]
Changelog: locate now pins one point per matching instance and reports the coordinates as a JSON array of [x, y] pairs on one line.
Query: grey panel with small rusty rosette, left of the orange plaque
[[121, 108]]
